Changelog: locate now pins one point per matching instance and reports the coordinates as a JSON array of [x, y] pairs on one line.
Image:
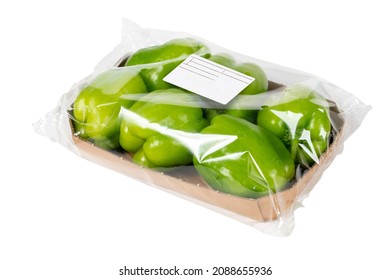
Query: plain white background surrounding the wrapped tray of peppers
[[62, 217]]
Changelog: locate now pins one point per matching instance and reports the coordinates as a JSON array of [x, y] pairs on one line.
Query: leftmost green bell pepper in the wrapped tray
[[96, 109]]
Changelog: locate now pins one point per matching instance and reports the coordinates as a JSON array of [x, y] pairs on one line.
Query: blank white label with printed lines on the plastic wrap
[[208, 79]]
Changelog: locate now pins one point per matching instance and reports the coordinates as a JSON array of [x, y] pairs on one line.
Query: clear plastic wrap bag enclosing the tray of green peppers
[[255, 158]]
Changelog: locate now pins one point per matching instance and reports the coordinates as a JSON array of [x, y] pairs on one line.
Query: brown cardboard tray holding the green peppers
[[186, 181]]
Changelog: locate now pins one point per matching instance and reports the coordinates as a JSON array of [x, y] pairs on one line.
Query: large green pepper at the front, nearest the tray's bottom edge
[[253, 163]]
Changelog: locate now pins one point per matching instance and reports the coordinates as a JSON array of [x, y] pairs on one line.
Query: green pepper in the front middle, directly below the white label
[[151, 126]]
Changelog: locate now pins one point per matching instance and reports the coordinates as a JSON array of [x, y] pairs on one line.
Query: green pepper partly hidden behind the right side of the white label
[[259, 85]]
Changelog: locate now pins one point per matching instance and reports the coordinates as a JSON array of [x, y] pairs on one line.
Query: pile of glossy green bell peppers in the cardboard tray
[[248, 153]]
